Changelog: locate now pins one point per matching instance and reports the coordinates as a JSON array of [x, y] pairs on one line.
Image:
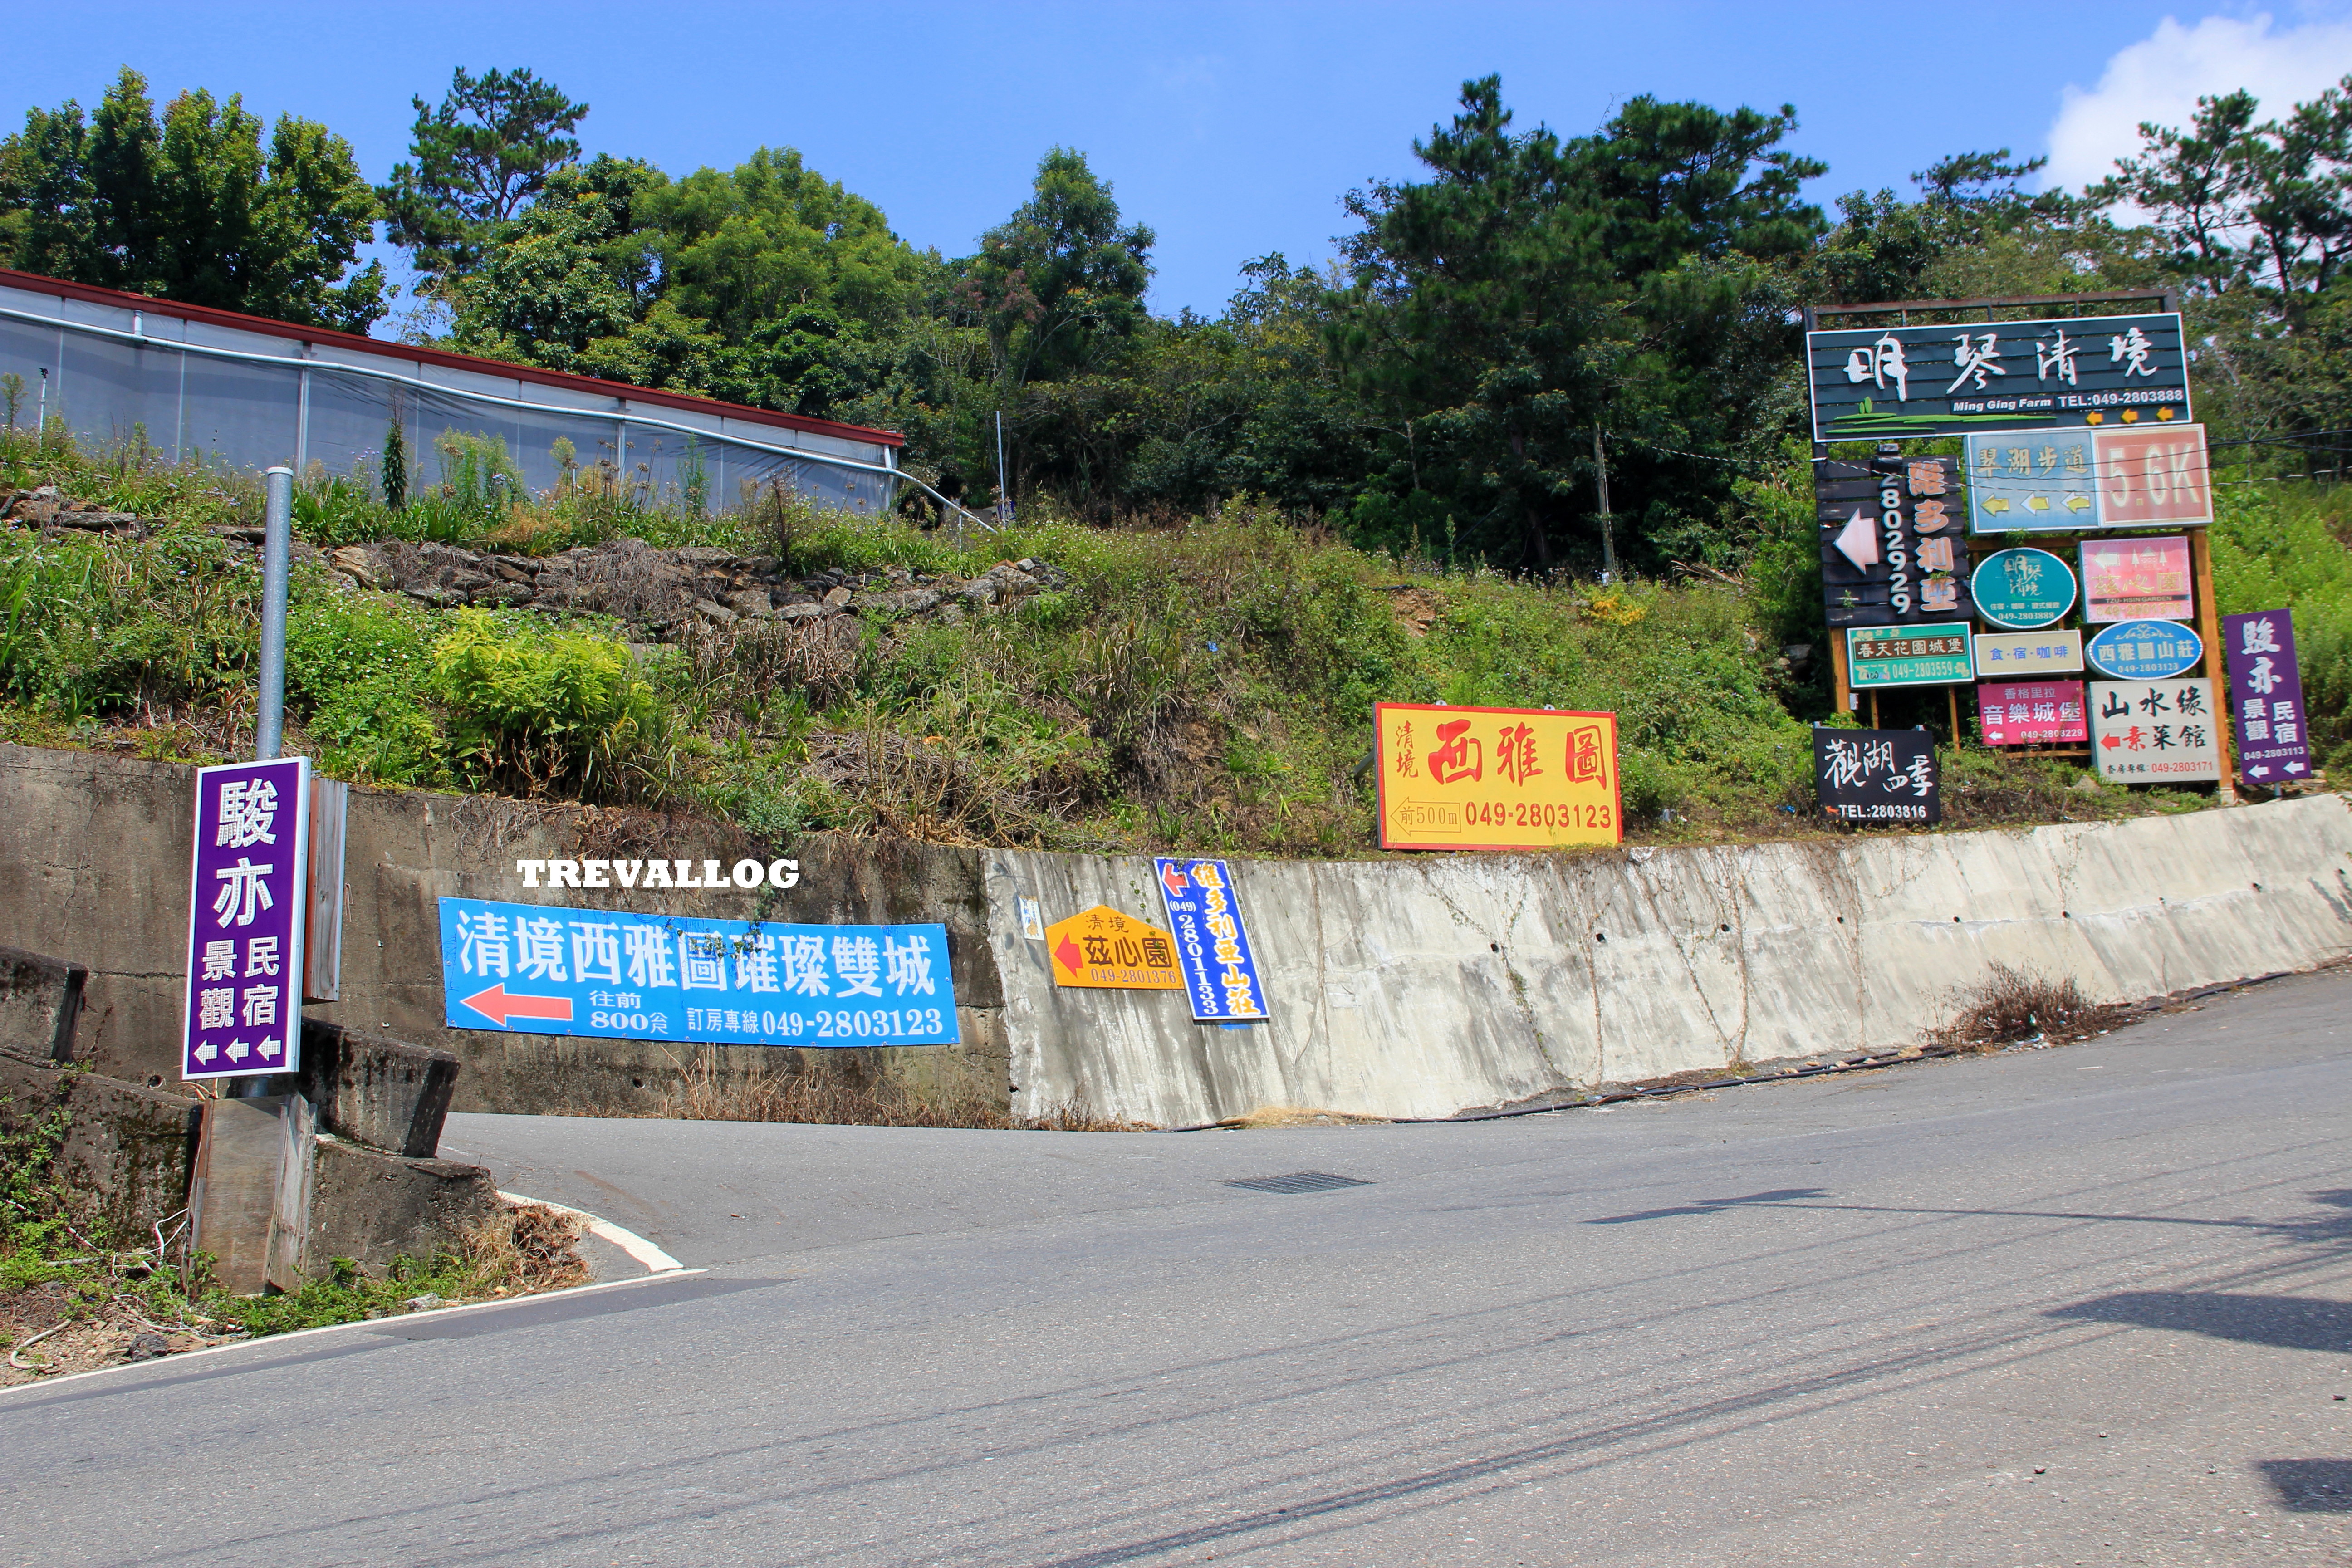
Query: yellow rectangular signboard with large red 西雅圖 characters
[[1497, 777]]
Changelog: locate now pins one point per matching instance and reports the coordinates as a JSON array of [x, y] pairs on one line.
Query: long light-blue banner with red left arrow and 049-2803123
[[537, 970]]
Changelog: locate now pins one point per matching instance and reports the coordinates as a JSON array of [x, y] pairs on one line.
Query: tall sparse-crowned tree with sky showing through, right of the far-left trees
[[481, 154]]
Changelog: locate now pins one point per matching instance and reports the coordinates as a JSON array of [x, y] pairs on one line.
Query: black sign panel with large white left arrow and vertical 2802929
[[1892, 549]]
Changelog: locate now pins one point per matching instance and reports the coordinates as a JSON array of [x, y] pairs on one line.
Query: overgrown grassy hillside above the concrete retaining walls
[[1196, 688]]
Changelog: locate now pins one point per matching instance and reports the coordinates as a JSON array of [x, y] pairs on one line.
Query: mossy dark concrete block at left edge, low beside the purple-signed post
[[131, 1151]]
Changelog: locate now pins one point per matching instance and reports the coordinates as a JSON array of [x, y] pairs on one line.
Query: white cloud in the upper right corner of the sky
[[2160, 79]]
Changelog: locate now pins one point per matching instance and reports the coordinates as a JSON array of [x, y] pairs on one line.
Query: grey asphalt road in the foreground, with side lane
[[2080, 1306]]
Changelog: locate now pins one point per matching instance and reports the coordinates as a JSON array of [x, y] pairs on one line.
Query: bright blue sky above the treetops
[[1231, 130]]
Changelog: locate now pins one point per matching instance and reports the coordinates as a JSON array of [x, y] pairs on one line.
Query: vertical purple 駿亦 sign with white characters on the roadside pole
[[246, 916]]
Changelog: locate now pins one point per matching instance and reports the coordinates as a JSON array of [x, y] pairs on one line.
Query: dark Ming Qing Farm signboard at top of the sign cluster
[[1913, 382]]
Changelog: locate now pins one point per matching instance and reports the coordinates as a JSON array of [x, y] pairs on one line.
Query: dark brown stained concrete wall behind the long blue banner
[[95, 869]]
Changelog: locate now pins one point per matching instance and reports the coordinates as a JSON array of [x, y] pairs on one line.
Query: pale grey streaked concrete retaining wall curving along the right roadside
[[1436, 986]]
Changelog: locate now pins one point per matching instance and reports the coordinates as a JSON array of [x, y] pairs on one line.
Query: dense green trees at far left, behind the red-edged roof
[[194, 208]]
